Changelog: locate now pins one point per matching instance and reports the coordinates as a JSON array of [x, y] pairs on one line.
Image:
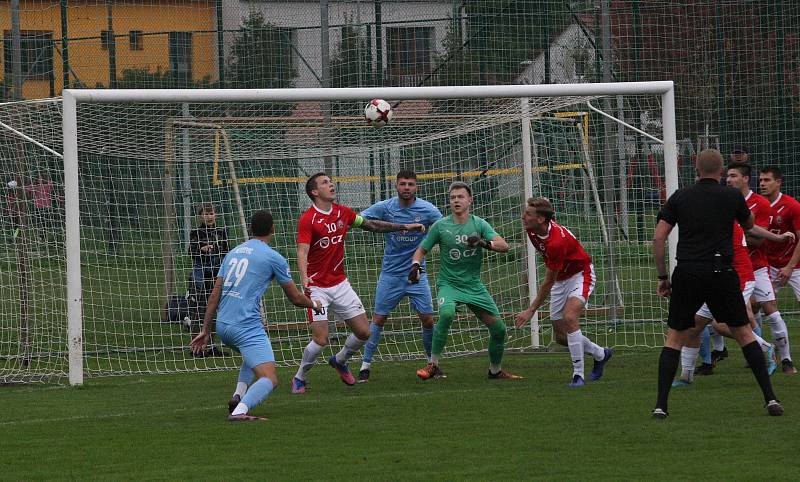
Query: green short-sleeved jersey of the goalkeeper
[[460, 264]]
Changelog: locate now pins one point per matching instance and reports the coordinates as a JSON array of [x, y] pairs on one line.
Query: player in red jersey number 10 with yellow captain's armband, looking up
[[321, 233]]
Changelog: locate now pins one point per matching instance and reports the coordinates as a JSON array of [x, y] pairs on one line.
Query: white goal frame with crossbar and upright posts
[[71, 99]]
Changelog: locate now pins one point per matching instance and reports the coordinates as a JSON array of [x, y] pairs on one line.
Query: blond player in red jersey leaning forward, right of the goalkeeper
[[569, 281]]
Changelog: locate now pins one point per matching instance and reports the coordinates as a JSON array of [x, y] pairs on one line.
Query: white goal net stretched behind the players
[[147, 166]]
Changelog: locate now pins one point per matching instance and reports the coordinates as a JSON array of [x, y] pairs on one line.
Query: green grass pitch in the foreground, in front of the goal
[[398, 428]]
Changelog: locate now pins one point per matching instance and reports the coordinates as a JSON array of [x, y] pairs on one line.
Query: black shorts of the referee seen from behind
[[693, 285]]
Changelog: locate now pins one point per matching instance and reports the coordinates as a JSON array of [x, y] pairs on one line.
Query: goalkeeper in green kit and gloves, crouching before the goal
[[462, 239]]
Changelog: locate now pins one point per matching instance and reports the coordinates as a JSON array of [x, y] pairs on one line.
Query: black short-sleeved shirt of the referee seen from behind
[[704, 213]]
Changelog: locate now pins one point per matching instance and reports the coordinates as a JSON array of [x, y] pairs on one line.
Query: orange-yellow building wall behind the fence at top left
[[86, 20]]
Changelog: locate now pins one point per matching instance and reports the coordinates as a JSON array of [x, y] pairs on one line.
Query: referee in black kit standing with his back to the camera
[[705, 213]]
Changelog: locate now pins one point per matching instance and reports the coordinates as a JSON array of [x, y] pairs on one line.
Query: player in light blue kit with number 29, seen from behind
[[245, 274]]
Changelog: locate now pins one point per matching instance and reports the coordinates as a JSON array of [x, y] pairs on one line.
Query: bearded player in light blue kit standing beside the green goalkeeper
[[393, 285]]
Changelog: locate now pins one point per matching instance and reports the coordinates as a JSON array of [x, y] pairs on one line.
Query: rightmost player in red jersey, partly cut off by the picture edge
[[782, 258]]
